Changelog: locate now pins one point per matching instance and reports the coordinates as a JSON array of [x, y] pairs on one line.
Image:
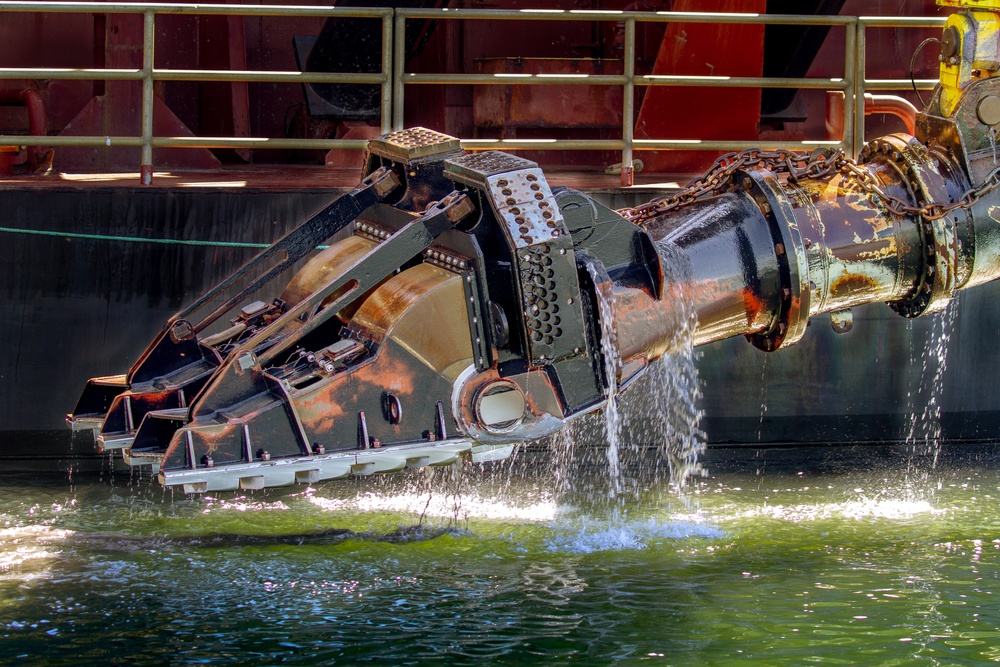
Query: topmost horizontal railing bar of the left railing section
[[192, 8]]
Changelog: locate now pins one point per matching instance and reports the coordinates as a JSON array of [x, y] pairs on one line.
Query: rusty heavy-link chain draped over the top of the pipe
[[817, 164]]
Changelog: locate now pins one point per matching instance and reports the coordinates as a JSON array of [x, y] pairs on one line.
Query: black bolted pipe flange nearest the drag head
[[793, 310]]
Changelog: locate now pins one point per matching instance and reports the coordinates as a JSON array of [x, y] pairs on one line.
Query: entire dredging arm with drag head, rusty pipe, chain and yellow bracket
[[463, 306]]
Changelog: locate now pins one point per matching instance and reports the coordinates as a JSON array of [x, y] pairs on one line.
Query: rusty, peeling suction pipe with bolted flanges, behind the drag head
[[764, 257]]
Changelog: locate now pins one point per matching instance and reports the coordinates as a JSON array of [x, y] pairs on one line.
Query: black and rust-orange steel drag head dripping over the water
[[451, 315]]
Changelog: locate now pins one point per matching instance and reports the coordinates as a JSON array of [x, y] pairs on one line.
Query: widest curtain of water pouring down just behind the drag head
[[648, 434]]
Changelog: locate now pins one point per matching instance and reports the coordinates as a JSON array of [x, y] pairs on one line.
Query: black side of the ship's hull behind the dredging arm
[[76, 307]]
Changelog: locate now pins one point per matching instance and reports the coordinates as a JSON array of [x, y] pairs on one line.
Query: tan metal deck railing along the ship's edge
[[394, 79]]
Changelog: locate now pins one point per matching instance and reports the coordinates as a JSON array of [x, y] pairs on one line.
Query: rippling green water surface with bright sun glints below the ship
[[829, 557]]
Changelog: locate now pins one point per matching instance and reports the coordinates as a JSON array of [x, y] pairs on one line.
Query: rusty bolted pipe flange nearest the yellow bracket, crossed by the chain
[[940, 258]]
